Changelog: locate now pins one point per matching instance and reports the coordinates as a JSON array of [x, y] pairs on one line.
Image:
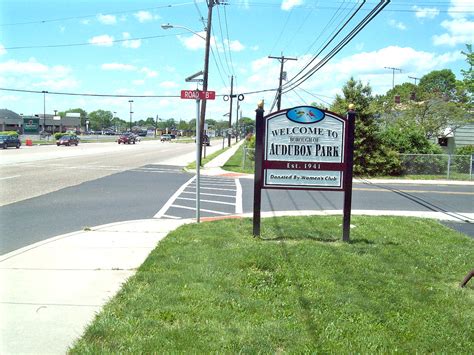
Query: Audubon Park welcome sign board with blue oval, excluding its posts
[[304, 148]]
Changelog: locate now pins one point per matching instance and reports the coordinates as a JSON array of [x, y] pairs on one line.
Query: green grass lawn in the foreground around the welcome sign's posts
[[214, 288]]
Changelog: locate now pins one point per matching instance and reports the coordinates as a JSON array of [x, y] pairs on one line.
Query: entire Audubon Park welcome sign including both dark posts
[[304, 148]]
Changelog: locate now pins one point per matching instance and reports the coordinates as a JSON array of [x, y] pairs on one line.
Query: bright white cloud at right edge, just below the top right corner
[[459, 31]]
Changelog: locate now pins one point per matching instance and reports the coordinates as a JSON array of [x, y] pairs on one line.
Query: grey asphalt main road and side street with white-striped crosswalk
[[49, 191]]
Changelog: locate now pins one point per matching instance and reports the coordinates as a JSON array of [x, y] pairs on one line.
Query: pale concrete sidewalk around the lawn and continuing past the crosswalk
[[50, 291]]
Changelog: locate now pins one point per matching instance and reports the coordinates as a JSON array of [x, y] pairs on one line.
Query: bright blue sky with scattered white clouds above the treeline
[[111, 47]]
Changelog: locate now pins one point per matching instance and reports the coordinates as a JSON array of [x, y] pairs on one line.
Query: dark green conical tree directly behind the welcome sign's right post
[[371, 156]]
